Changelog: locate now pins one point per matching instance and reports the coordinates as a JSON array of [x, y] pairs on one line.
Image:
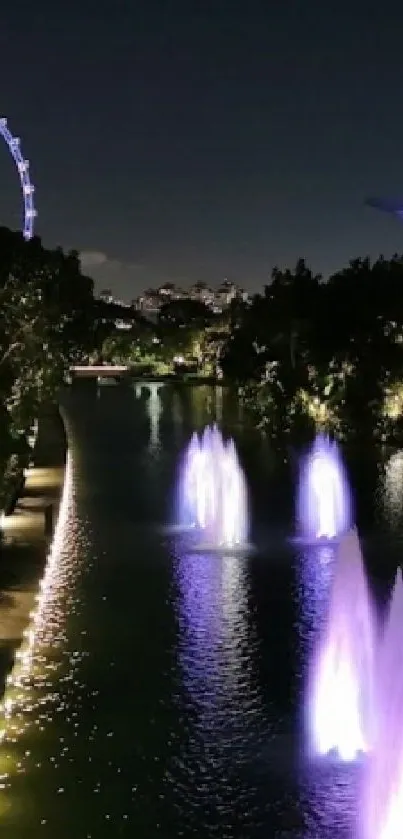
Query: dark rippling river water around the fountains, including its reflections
[[161, 693]]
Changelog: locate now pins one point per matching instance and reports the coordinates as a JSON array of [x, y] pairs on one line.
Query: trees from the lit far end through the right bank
[[304, 353]]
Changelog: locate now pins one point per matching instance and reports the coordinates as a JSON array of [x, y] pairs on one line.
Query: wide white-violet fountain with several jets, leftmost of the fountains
[[212, 494]]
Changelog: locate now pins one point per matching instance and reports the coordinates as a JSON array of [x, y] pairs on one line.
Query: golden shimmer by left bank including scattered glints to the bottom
[[44, 677]]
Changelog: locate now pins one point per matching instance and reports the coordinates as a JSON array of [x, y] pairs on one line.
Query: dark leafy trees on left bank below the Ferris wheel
[[46, 323]]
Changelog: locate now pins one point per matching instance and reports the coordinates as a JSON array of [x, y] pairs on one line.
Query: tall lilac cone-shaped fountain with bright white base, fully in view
[[341, 696]]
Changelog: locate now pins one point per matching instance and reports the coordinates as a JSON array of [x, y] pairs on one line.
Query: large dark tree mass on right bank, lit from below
[[308, 352]]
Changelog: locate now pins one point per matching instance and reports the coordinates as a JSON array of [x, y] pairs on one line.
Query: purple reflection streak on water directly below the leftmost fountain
[[217, 643]]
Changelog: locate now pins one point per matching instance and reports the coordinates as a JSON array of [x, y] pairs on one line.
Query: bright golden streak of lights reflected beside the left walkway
[[19, 708]]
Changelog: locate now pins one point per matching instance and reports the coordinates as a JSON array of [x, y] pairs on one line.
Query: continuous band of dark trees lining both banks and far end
[[303, 353]]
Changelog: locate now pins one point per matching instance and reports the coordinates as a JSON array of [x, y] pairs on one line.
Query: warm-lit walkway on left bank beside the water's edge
[[26, 535]]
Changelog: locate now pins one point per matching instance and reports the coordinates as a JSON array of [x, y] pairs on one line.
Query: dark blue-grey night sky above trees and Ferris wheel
[[186, 140]]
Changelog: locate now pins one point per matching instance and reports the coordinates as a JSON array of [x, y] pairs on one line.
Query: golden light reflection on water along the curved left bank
[[29, 685]]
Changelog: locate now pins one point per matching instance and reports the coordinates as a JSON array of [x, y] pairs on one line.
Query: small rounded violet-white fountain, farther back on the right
[[324, 497]]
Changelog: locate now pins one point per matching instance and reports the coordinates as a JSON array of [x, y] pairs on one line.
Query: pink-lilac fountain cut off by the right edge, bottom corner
[[381, 810]]
